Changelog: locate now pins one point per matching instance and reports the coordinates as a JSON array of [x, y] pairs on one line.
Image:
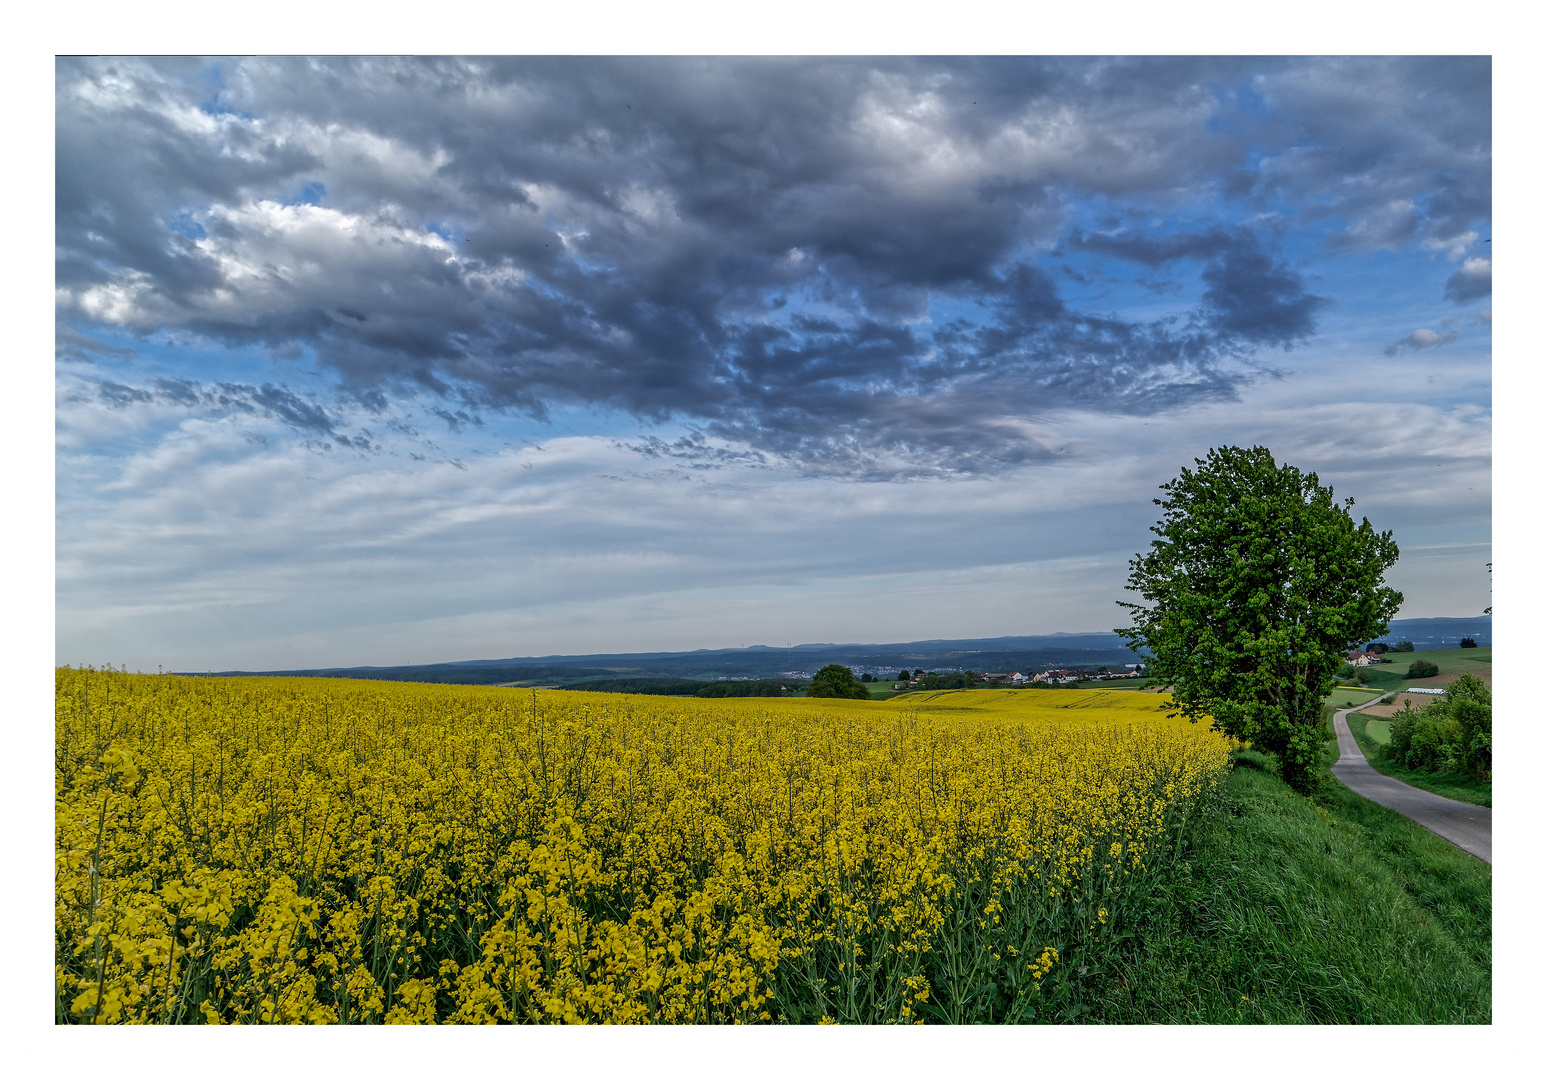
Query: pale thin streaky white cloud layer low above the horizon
[[196, 545]]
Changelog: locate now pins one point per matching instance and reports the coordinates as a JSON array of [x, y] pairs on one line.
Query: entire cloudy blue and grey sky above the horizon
[[381, 361]]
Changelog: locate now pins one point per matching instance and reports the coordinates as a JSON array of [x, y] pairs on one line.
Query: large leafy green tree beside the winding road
[[1258, 586]]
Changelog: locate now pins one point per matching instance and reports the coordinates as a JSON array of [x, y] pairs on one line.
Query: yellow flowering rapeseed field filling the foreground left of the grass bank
[[270, 850]]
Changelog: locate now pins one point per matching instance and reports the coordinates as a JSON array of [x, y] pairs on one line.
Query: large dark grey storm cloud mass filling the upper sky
[[827, 259]]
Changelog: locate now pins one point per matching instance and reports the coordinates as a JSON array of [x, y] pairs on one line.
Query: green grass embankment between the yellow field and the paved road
[[1308, 911]]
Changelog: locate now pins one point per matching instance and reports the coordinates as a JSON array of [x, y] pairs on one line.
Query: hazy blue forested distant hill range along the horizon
[[1030, 654]]
